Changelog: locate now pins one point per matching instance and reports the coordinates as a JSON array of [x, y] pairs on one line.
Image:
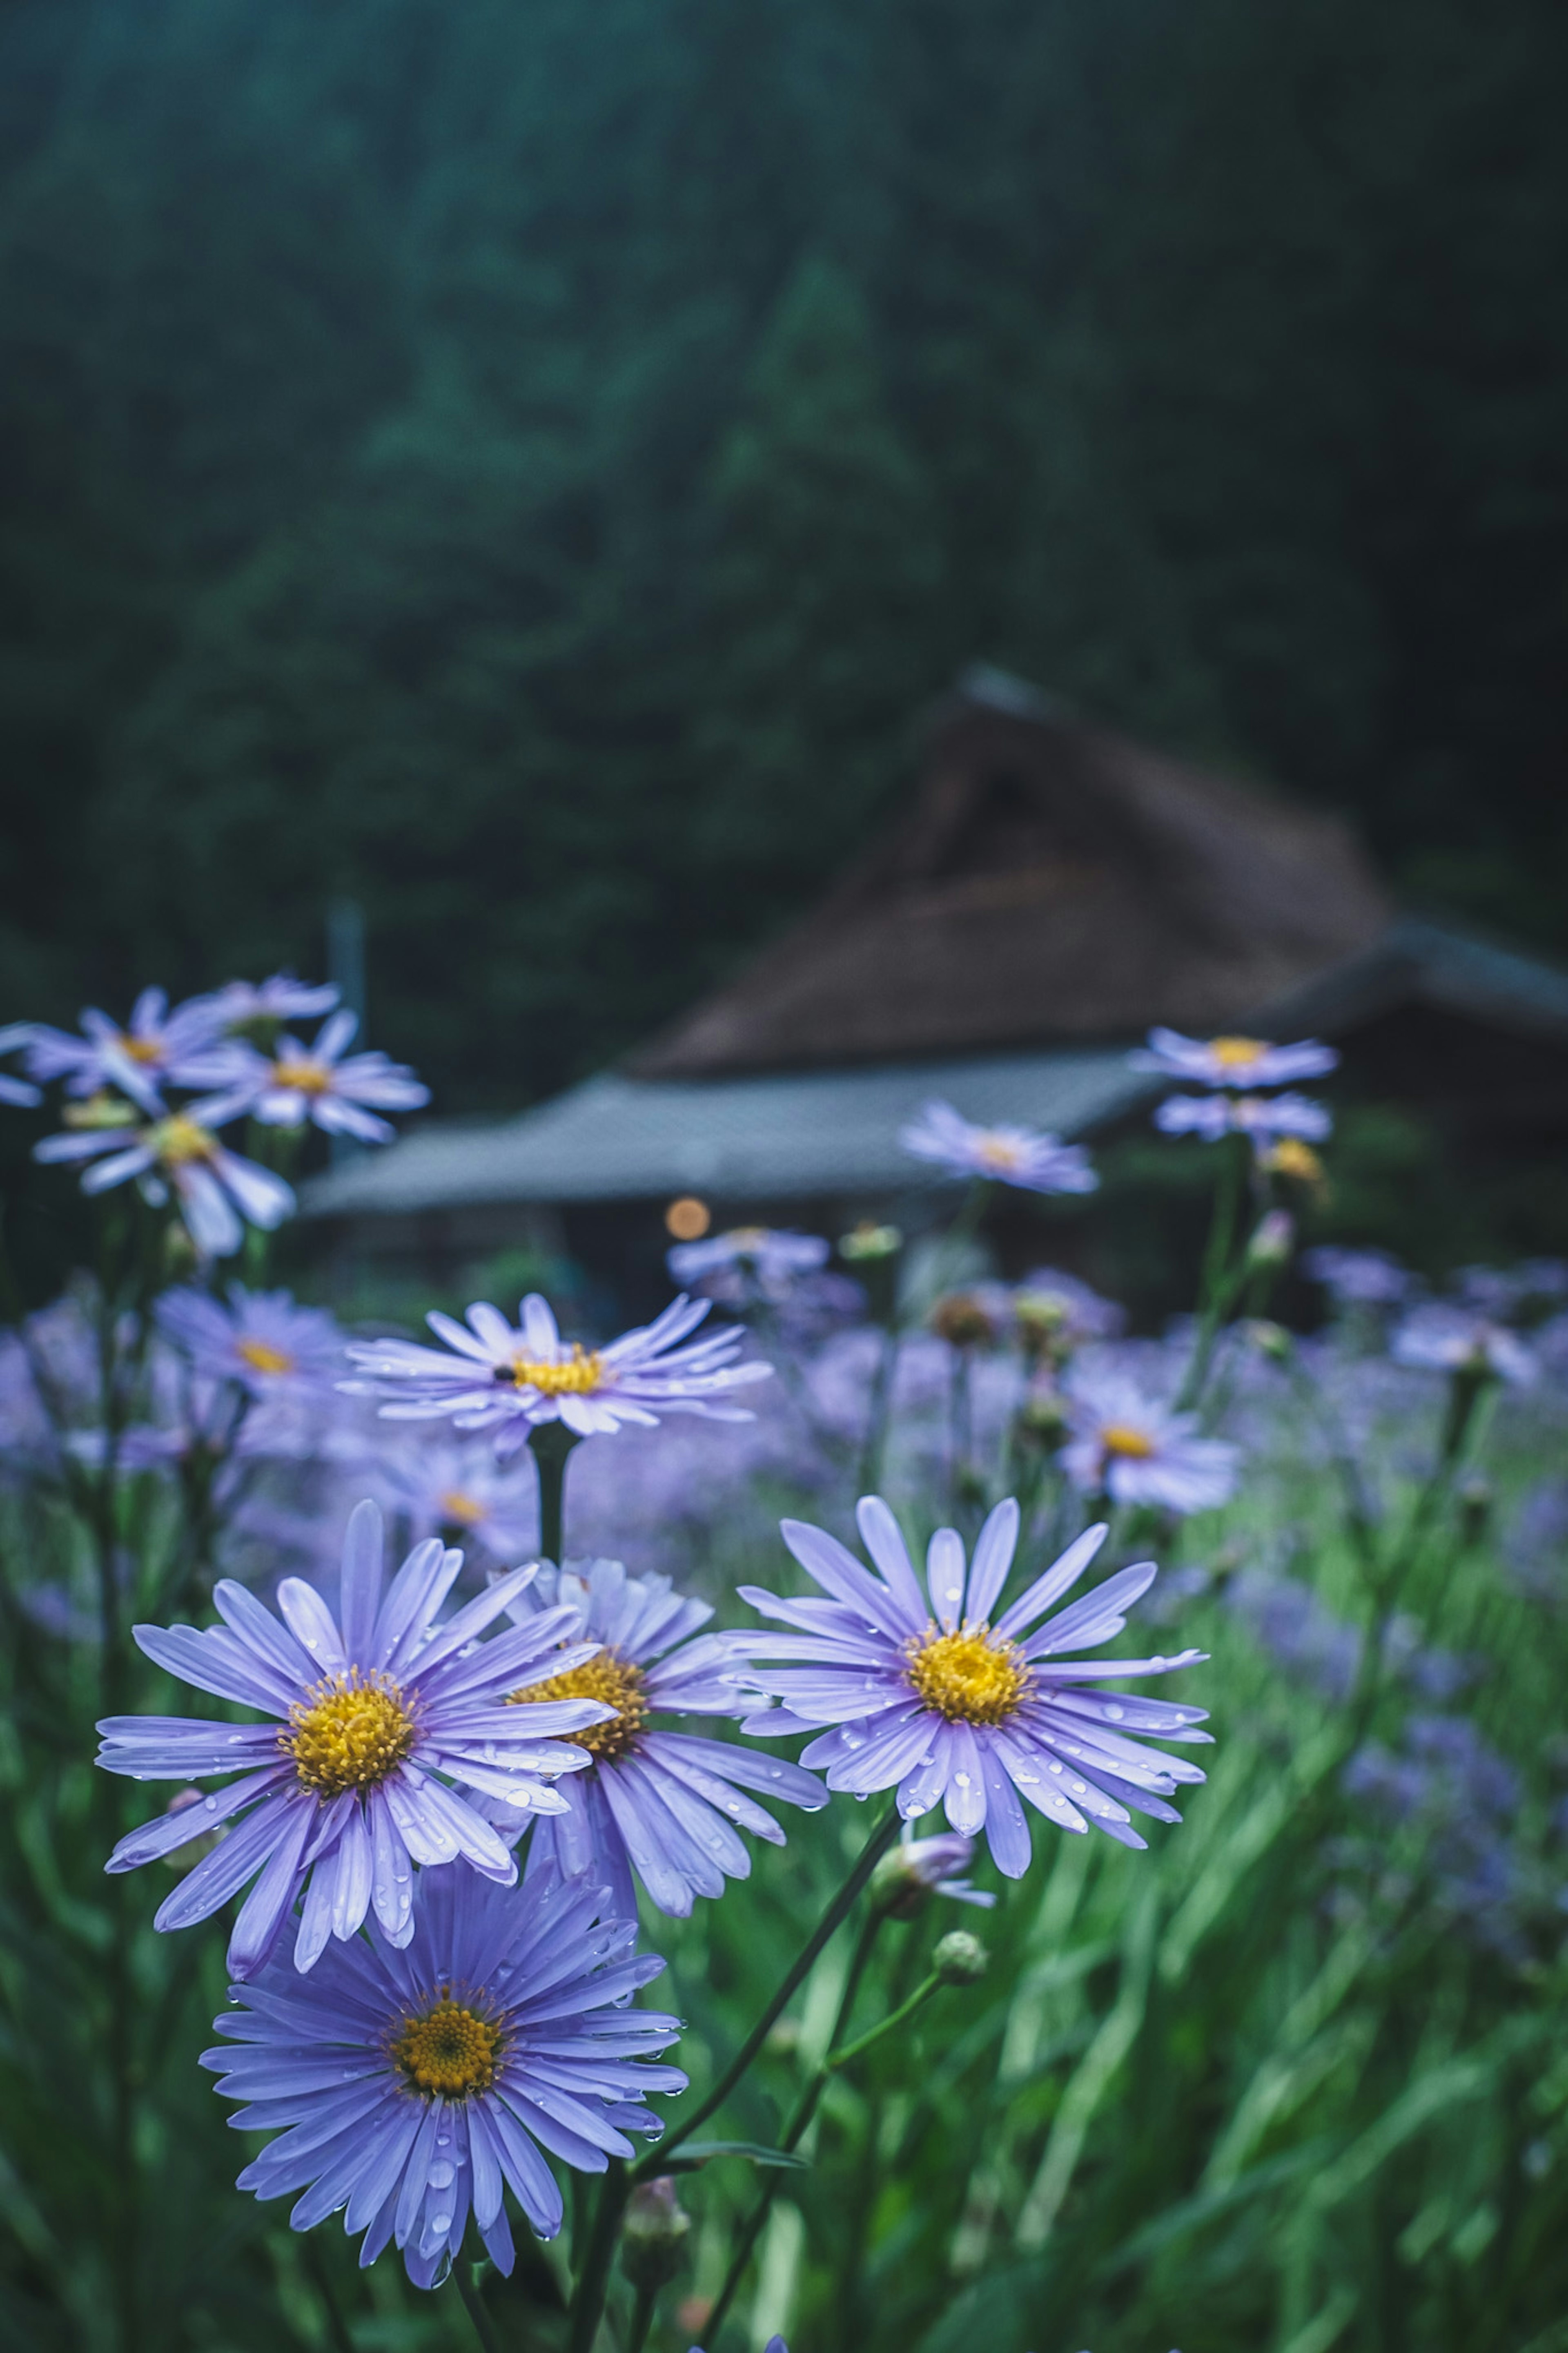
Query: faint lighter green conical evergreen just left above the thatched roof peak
[[822, 629]]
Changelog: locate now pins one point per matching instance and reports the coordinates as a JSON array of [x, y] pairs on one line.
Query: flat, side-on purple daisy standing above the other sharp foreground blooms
[[509, 1380]]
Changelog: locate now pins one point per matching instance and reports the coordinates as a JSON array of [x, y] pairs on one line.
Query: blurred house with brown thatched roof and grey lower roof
[[1050, 893]]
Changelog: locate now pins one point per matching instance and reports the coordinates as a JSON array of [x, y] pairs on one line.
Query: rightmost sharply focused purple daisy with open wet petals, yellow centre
[[958, 1712]]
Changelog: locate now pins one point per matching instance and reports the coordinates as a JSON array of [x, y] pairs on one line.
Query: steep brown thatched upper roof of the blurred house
[[1052, 884]]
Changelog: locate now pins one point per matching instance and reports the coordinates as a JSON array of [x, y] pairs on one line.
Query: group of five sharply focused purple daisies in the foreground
[[436, 1820]]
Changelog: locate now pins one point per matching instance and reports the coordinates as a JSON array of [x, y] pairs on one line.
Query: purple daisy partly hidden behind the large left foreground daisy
[[662, 1806]]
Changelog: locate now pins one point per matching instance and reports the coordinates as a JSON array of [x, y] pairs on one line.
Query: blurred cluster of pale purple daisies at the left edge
[[147, 1100]]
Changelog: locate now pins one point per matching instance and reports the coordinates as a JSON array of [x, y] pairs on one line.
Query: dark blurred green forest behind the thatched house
[[525, 465]]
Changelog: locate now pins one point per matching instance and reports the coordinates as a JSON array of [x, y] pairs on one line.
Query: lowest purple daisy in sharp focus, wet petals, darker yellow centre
[[410, 2088]]
